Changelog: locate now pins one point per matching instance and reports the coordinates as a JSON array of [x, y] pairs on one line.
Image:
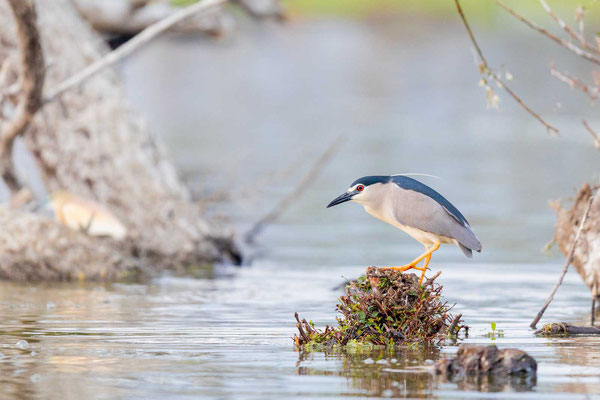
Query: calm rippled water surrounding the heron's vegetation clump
[[270, 99]]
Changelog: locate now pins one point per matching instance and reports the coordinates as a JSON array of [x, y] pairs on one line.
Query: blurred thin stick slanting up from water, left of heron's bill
[[283, 205]]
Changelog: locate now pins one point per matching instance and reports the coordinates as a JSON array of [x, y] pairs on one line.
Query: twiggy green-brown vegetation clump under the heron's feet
[[385, 307]]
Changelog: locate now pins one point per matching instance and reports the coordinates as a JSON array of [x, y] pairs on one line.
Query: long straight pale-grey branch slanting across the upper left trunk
[[131, 46]]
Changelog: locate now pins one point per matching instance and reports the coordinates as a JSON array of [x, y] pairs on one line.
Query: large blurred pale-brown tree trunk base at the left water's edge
[[90, 142]]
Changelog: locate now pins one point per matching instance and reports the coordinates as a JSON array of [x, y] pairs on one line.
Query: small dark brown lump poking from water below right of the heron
[[474, 360]]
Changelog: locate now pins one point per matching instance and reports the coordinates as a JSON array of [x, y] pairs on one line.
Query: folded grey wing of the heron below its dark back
[[422, 212]]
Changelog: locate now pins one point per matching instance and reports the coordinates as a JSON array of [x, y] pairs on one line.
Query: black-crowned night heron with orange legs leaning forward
[[416, 209]]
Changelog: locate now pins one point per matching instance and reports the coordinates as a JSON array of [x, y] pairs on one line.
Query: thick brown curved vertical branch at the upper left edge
[[31, 84]]
